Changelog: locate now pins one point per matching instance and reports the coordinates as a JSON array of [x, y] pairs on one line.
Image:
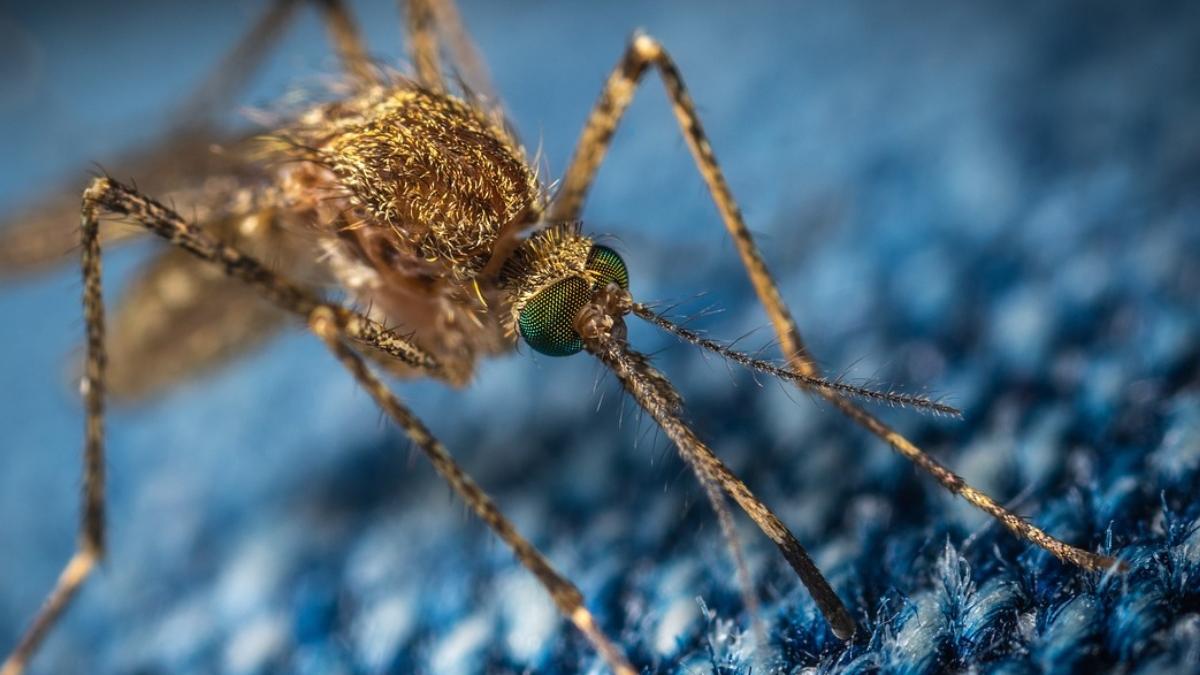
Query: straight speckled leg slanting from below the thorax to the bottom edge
[[565, 594]]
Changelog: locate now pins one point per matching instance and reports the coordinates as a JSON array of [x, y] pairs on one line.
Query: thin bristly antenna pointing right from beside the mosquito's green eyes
[[915, 402]]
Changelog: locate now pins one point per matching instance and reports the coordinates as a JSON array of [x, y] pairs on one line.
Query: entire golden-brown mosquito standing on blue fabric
[[411, 195]]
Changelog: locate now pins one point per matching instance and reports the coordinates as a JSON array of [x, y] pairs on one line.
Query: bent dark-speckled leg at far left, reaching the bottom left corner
[[111, 198]]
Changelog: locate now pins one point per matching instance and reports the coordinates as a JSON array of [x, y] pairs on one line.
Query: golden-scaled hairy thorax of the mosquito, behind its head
[[417, 198]]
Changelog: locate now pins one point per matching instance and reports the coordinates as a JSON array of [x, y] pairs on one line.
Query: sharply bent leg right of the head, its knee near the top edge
[[619, 92]]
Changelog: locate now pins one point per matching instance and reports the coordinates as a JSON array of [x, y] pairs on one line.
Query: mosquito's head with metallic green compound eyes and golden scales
[[562, 288]]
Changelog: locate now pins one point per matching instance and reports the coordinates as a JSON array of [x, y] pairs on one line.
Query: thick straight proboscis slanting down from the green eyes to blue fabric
[[656, 395]]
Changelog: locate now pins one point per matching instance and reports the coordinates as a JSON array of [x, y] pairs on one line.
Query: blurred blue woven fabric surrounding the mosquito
[[993, 202]]
